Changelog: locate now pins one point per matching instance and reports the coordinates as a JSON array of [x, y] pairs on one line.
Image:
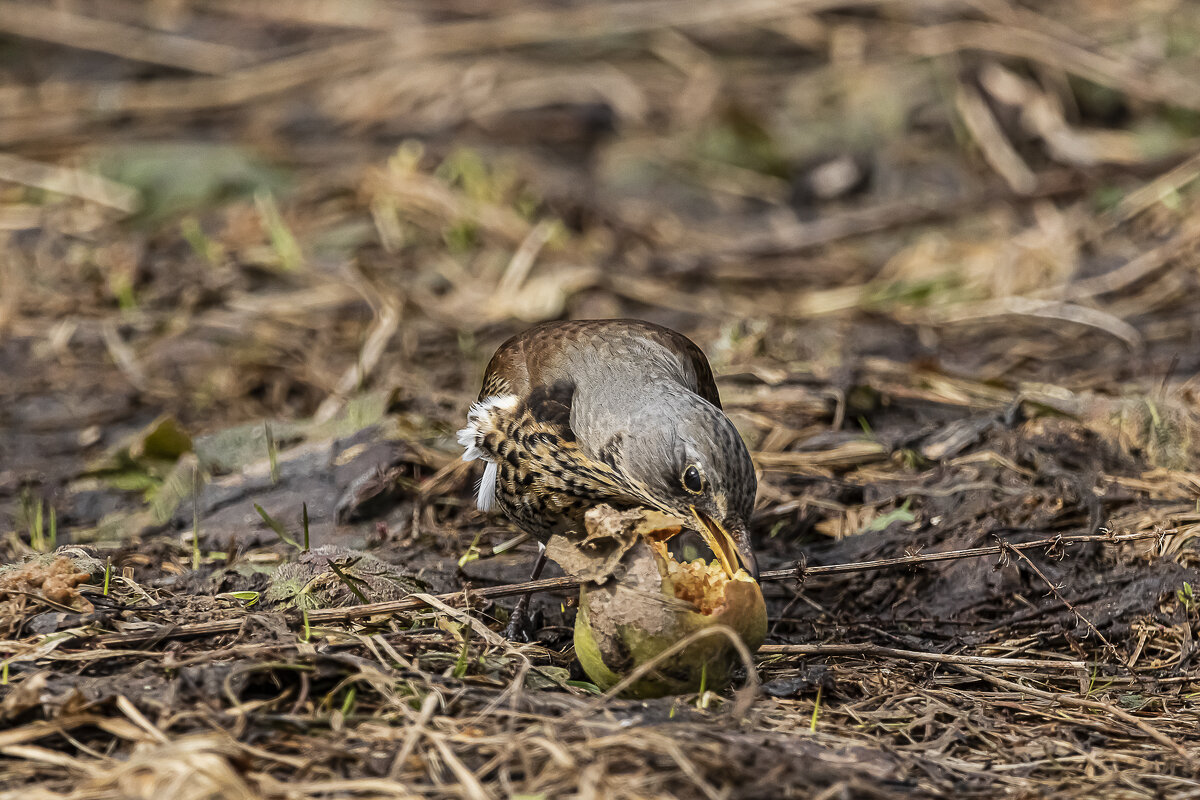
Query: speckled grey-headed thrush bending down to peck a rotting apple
[[621, 412]]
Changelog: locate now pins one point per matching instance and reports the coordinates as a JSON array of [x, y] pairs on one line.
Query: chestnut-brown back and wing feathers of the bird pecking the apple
[[542, 356]]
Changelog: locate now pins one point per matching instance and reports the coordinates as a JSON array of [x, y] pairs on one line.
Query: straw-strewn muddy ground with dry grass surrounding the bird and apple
[[944, 256]]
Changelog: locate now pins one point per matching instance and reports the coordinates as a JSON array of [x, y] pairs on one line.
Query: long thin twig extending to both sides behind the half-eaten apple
[[326, 616]]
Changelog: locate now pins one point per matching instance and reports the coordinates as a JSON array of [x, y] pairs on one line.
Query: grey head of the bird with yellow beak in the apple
[[689, 461]]
